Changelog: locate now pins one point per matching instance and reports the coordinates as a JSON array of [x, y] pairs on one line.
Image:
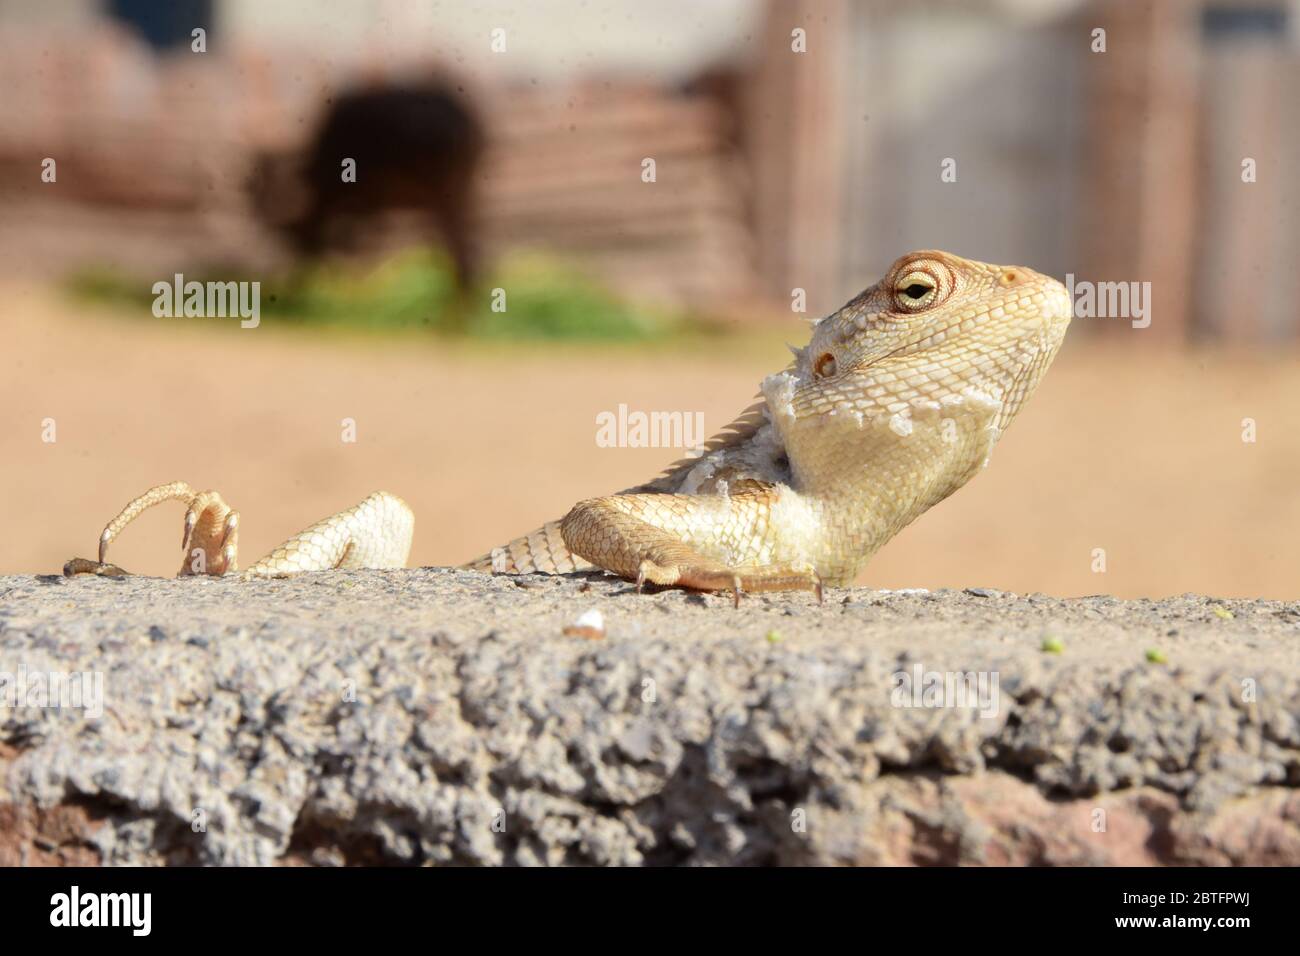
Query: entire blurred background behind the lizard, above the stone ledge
[[505, 146]]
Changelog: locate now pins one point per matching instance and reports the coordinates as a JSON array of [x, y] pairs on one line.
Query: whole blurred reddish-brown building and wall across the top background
[[796, 144]]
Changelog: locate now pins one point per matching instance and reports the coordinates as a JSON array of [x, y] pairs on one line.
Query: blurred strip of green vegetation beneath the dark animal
[[544, 300]]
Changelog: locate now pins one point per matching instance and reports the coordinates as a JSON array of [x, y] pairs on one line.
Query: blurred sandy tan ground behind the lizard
[[1125, 448]]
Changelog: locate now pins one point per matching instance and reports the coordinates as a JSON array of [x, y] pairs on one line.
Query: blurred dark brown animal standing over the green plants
[[415, 149]]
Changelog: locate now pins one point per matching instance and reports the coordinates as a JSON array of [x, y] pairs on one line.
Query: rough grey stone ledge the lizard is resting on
[[445, 717]]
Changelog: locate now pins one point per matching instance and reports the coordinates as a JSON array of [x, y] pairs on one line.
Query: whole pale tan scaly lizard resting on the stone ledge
[[895, 404]]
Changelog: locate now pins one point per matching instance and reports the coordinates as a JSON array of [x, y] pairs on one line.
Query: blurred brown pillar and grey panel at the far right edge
[[1193, 94]]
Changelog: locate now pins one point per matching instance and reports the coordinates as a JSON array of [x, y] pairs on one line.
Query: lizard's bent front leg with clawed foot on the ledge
[[708, 543]]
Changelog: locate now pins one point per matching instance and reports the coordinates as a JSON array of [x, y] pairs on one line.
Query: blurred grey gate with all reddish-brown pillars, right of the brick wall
[[1116, 166]]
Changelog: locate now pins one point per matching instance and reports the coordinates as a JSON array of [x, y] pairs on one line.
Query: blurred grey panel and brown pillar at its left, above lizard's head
[[855, 137]]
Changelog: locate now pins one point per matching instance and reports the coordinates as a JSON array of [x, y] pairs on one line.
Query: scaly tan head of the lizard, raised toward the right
[[939, 328]]
